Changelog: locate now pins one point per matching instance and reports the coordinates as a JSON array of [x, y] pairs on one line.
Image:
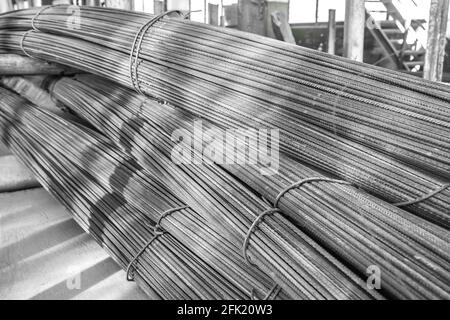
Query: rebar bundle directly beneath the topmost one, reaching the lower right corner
[[355, 227]]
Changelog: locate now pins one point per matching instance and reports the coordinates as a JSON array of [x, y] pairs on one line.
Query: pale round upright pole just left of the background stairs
[[355, 19]]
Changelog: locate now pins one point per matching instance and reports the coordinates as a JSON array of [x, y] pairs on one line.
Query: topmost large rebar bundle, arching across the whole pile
[[376, 128]]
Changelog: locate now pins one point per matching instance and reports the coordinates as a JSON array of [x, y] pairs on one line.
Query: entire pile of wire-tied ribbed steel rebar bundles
[[216, 164]]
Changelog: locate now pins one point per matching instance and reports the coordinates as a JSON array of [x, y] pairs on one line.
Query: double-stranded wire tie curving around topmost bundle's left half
[[137, 44]]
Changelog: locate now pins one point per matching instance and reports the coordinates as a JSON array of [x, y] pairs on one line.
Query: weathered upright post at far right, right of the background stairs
[[437, 28]]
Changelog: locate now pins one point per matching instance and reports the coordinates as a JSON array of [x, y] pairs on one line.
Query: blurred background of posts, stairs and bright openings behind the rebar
[[389, 33]]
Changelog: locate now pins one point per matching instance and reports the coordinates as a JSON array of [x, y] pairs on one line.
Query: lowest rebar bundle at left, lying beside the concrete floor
[[83, 171]]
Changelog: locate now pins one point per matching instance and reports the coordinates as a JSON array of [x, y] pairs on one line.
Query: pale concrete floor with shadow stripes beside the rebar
[[44, 254]]
